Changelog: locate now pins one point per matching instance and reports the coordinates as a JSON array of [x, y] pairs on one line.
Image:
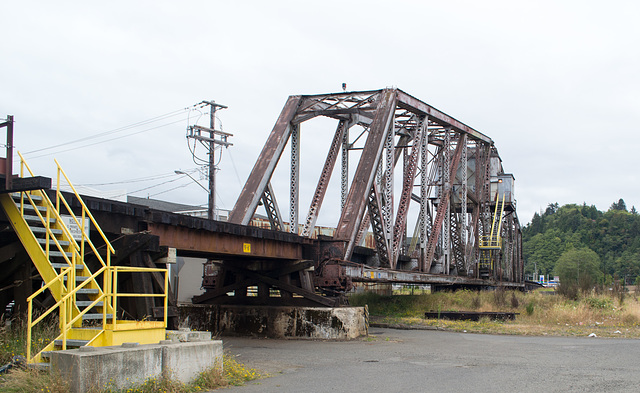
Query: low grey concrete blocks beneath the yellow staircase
[[123, 367]]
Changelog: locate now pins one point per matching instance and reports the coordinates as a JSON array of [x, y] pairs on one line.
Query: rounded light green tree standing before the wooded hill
[[579, 267]]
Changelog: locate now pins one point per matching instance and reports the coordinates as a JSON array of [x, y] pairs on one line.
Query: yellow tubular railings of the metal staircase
[[69, 314]]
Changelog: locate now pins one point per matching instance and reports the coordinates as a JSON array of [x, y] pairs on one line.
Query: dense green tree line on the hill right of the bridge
[[584, 245]]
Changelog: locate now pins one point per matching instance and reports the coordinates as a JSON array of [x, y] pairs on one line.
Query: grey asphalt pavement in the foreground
[[435, 361]]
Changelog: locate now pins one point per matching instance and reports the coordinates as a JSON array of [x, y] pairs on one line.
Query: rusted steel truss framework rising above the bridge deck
[[448, 172]]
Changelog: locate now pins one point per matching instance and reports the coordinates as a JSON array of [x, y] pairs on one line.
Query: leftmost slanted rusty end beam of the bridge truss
[[266, 163]]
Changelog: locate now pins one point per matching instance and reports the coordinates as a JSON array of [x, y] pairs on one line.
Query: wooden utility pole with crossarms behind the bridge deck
[[195, 132]]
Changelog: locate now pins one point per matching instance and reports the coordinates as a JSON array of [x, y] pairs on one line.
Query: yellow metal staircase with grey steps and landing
[[86, 301]]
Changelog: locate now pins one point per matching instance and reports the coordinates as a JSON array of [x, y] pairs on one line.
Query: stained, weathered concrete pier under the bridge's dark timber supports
[[277, 322]]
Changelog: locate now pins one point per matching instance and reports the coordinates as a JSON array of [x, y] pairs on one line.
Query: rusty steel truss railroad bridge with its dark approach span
[[431, 190]]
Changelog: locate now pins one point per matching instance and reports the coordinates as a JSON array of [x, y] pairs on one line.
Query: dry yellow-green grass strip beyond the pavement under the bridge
[[539, 313]]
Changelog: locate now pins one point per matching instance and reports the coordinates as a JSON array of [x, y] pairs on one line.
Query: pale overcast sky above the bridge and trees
[[555, 84]]
